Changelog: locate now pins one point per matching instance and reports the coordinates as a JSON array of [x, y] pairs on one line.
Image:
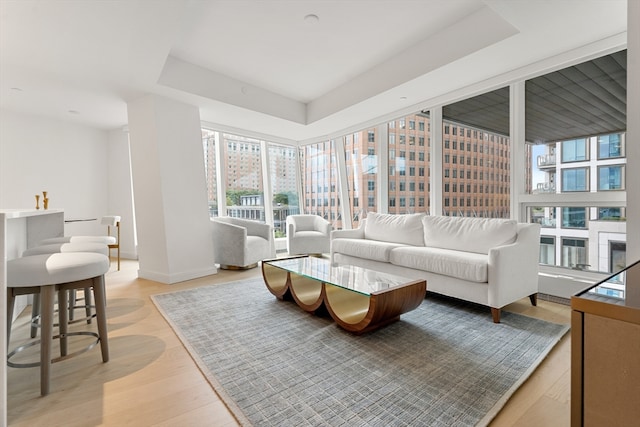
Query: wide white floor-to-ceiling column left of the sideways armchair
[[169, 186]]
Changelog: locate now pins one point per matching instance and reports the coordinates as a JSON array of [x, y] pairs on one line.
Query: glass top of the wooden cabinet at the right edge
[[622, 288]]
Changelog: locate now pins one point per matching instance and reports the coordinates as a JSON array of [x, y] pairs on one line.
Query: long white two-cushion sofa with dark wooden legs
[[492, 262]]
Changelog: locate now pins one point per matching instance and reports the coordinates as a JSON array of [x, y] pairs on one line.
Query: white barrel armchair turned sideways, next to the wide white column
[[241, 243]]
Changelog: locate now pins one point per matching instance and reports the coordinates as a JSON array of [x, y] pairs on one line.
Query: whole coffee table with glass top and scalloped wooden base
[[358, 299]]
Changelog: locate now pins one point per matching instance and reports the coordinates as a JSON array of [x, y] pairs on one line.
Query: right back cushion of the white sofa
[[468, 234]]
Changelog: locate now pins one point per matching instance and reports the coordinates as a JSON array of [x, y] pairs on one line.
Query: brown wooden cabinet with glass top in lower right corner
[[605, 352]]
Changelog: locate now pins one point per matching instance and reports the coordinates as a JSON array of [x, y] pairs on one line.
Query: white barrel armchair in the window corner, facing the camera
[[308, 234]]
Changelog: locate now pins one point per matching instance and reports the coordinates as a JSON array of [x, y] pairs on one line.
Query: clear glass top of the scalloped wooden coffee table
[[350, 277]]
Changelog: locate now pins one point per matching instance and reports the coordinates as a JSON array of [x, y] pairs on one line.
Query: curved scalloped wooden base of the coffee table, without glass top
[[353, 311]]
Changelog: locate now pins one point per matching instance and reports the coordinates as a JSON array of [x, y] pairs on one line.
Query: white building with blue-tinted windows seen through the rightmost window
[[583, 237]]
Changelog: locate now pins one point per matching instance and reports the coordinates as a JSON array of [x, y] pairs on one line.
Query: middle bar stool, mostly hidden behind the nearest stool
[[52, 248]]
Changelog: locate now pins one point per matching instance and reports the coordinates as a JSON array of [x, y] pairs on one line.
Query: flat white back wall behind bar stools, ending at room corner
[[66, 160]]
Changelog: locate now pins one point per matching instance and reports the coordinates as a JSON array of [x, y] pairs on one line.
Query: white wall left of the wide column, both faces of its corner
[[84, 170]]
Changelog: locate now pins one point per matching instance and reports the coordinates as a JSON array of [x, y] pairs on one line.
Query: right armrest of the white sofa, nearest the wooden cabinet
[[513, 268]]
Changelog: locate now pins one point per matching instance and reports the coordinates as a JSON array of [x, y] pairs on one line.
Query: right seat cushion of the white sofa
[[462, 265]]
